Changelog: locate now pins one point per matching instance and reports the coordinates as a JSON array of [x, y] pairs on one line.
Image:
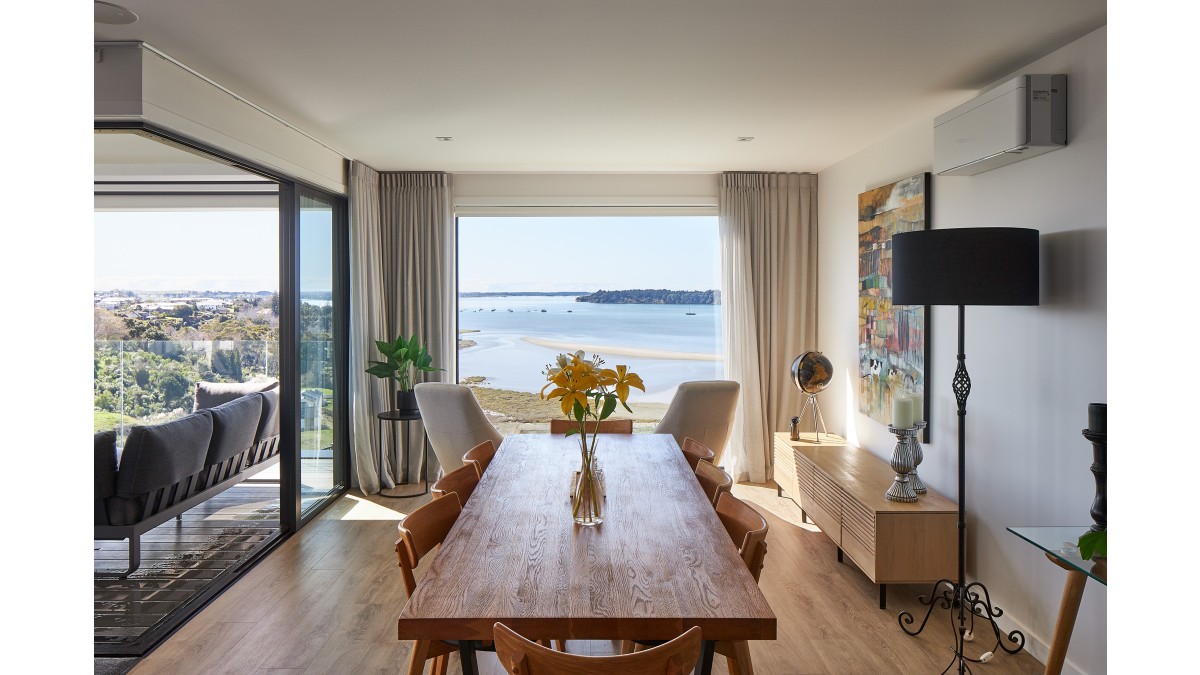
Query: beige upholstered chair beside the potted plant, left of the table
[[454, 422]]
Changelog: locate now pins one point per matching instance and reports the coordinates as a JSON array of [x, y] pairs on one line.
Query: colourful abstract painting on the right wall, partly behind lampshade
[[892, 342]]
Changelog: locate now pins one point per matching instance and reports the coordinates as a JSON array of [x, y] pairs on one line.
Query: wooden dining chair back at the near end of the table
[[524, 658]]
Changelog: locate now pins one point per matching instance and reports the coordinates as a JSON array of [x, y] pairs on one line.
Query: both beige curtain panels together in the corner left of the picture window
[[403, 282]]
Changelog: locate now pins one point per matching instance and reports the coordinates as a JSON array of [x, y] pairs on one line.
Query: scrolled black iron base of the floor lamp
[[969, 604]]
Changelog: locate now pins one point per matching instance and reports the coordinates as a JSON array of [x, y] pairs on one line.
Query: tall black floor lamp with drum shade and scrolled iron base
[[977, 266]]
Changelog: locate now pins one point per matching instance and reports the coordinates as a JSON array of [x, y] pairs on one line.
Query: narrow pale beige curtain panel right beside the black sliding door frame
[[369, 395]]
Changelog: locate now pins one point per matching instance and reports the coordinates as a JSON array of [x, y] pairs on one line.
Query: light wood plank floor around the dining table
[[328, 599]]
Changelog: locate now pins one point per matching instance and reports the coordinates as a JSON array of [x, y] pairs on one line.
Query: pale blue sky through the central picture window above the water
[[589, 254]]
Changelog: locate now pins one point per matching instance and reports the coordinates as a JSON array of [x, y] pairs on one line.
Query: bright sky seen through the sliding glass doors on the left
[[209, 250]]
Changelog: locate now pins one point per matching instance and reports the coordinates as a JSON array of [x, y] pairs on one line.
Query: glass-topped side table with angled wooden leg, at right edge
[[1059, 546]]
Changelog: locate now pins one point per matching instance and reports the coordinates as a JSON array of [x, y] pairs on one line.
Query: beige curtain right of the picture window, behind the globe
[[769, 224]]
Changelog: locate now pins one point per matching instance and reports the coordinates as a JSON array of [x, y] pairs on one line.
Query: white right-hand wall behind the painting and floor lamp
[[1034, 371]]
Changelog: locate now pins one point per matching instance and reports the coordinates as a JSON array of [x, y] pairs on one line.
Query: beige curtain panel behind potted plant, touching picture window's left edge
[[421, 278]]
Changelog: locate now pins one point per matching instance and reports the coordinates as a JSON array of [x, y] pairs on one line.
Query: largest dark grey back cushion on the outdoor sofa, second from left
[[157, 457]]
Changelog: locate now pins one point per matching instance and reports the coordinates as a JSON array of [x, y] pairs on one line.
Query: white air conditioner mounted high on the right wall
[[1023, 118]]
